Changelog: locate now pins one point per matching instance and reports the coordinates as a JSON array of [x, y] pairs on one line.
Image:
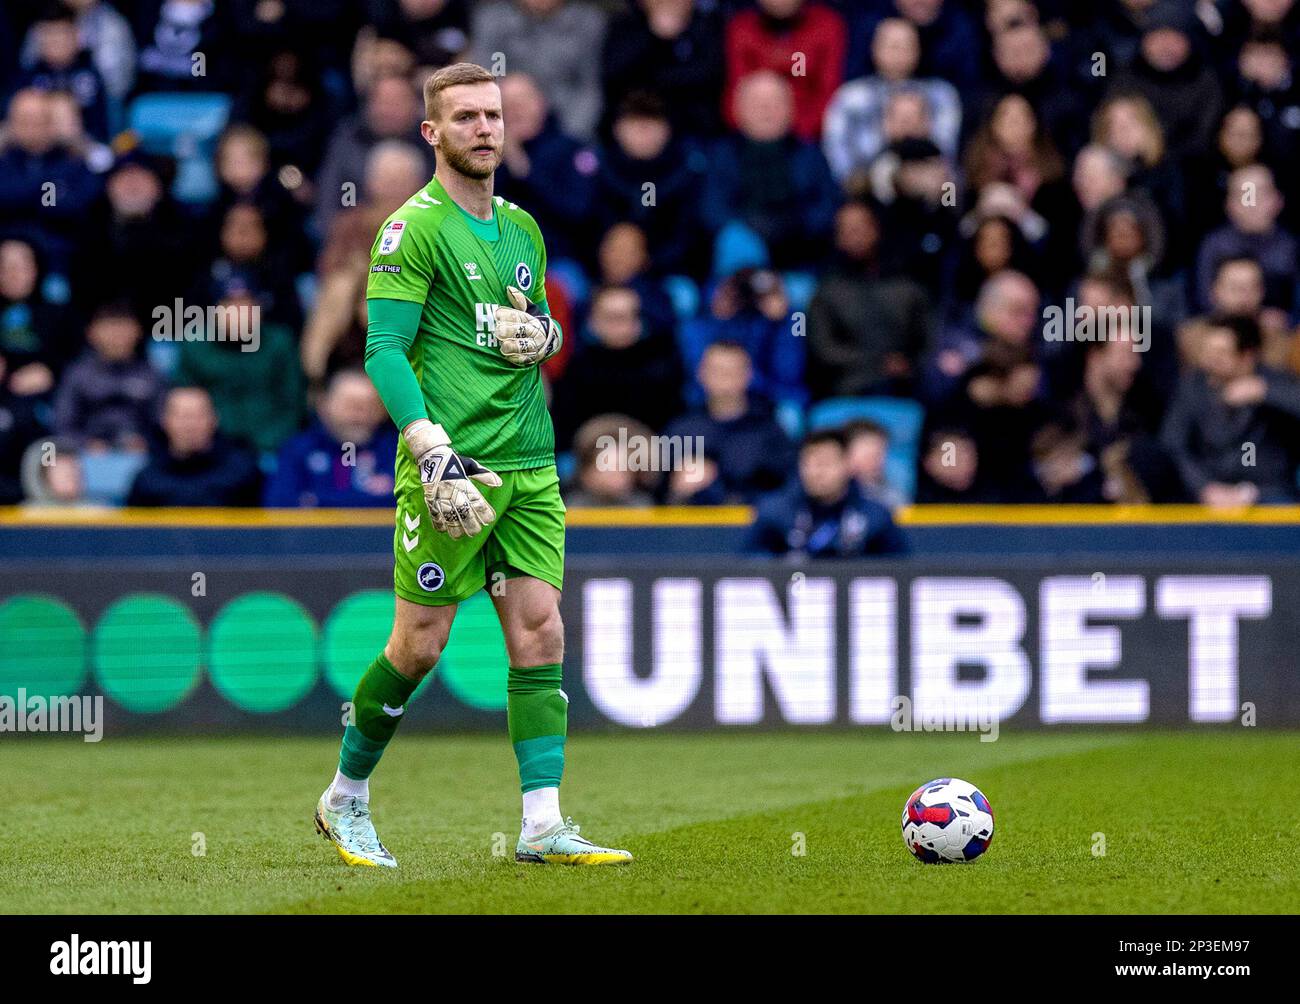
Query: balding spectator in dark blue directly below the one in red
[[770, 181]]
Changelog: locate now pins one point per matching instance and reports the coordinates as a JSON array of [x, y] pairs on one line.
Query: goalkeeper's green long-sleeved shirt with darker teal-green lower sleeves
[[437, 276]]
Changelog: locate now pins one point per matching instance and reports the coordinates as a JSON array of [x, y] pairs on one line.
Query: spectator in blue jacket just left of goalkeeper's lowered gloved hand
[[345, 458]]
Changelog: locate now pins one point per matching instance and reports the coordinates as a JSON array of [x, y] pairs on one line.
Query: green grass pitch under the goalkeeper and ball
[[1194, 823]]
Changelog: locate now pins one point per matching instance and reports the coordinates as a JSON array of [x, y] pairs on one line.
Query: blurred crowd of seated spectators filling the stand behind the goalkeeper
[[1067, 232]]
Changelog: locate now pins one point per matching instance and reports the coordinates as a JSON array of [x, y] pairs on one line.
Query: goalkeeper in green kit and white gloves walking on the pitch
[[458, 326]]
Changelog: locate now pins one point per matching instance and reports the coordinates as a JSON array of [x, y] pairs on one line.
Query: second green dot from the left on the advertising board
[[146, 652]]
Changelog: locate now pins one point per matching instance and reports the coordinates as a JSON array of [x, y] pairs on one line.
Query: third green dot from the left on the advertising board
[[262, 652]]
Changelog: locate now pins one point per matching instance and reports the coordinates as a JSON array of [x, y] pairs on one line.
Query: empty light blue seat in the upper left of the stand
[[184, 127]]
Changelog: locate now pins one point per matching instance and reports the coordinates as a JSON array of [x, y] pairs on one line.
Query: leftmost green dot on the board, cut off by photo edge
[[42, 648]]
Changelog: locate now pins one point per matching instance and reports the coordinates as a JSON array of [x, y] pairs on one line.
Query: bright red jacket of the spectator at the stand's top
[[800, 41]]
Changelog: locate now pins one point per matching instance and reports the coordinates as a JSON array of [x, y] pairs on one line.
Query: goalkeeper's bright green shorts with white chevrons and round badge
[[526, 539]]
